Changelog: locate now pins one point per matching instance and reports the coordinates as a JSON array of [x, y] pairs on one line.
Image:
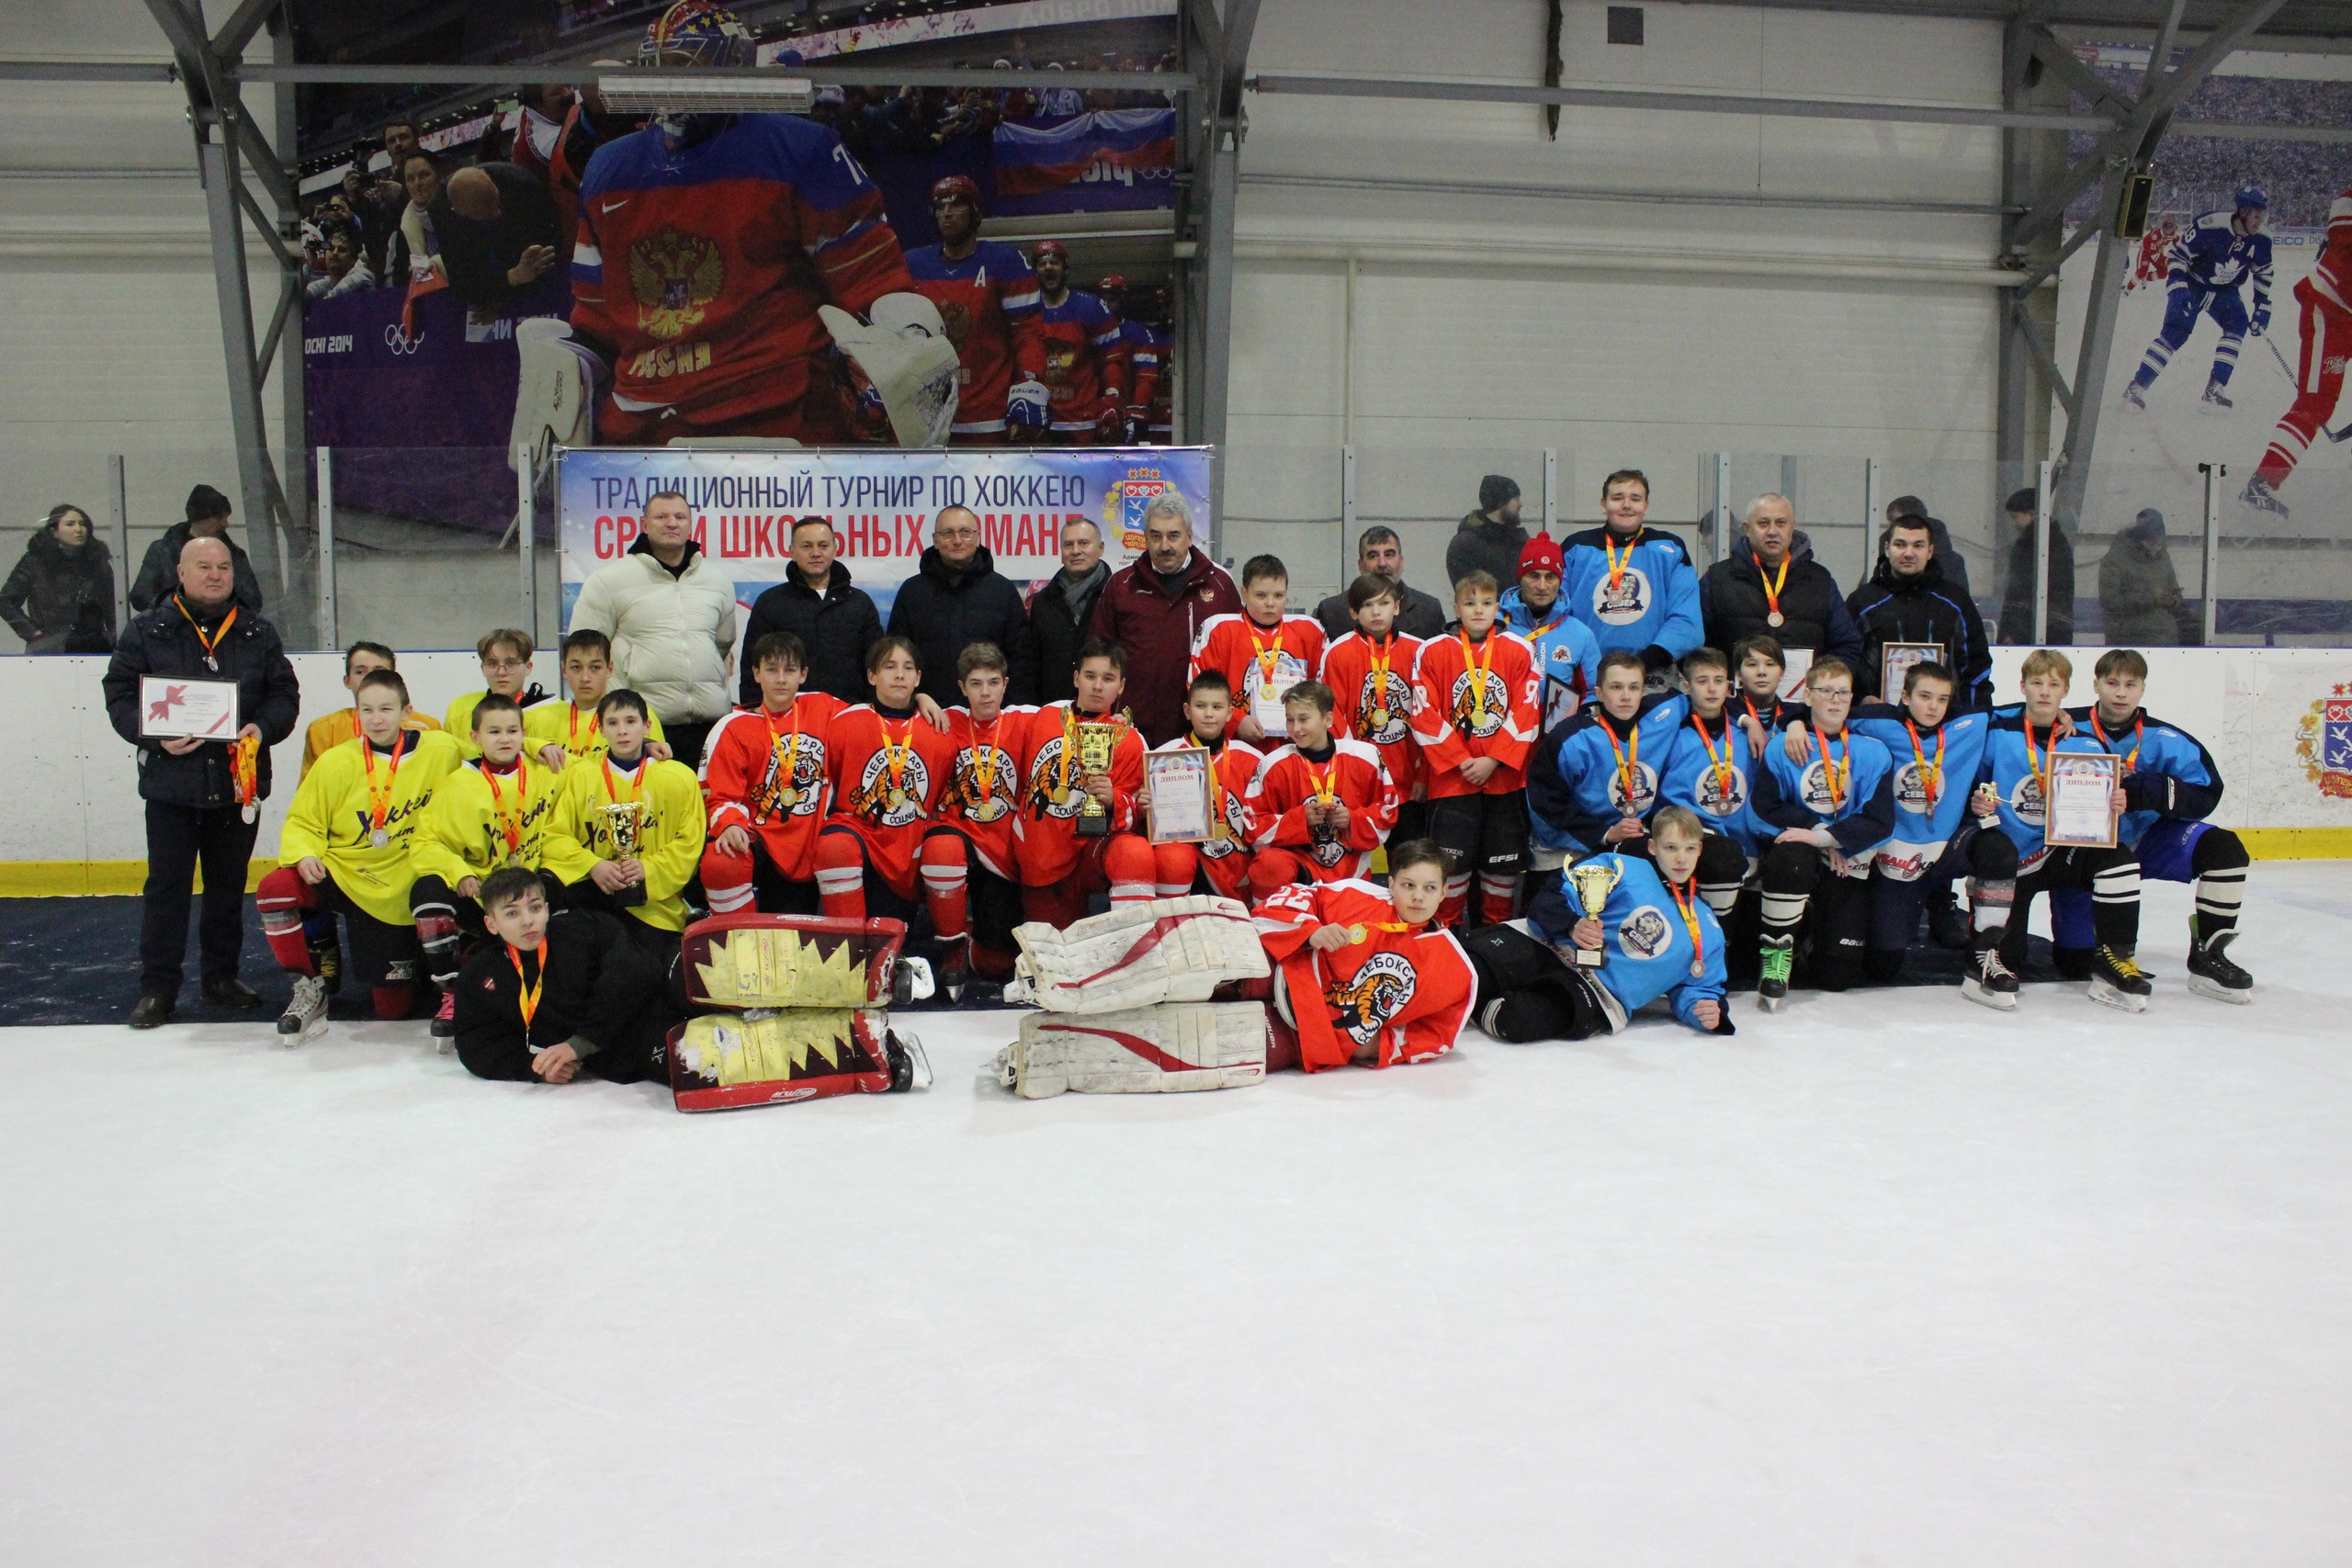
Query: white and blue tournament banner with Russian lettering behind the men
[[881, 504]]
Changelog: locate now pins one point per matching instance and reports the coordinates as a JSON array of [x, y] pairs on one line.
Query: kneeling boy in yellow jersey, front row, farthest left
[[347, 855]]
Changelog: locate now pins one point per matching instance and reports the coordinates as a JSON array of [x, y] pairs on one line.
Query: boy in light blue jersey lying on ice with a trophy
[[1655, 937]]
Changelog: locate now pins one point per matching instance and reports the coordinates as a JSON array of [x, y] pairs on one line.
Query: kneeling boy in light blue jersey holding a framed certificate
[[2017, 765]]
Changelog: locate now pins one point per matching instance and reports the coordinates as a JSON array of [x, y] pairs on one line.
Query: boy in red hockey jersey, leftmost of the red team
[[766, 789]]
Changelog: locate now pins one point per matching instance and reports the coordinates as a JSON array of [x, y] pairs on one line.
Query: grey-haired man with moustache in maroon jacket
[[1156, 608]]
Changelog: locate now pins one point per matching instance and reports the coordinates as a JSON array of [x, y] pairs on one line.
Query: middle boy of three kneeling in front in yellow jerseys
[[493, 812]]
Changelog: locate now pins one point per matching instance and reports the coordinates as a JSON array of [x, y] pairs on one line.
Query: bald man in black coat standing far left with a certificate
[[194, 808]]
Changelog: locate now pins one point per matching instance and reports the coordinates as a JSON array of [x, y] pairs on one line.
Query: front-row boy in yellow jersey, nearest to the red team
[[660, 810]]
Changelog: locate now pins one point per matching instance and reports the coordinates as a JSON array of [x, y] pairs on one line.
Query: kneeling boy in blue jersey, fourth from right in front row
[[1831, 812]]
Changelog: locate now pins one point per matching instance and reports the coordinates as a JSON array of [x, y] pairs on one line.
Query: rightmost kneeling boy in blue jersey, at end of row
[[2170, 789]]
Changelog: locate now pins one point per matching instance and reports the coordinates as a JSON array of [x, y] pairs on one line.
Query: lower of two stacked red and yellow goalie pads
[[728, 1061]]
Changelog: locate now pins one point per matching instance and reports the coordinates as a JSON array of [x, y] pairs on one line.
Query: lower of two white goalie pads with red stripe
[[1165, 1050]]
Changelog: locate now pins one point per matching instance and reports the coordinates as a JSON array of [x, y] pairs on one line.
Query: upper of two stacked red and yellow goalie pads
[[791, 960]]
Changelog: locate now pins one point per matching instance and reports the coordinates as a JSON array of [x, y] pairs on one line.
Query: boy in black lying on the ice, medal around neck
[[603, 1003]]
